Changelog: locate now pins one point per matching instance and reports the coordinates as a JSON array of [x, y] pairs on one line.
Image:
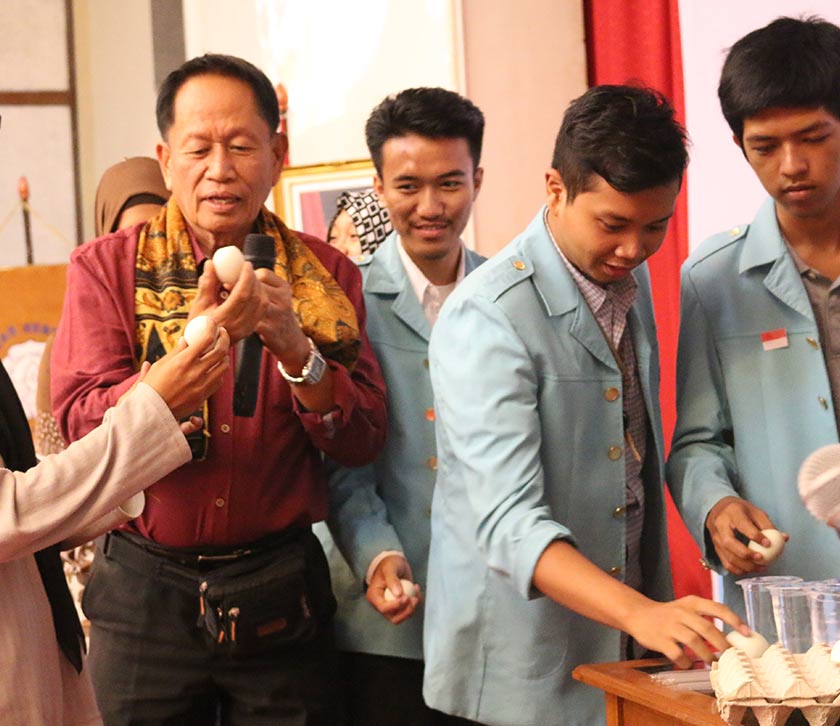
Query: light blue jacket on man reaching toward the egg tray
[[525, 428]]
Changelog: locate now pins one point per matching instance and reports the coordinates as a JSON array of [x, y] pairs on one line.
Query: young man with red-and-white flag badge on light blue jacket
[[759, 356]]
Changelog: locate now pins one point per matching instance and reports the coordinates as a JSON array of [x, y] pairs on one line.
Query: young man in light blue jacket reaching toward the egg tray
[[548, 519]]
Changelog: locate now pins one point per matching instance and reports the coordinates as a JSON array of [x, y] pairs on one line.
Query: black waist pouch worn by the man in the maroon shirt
[[268, 600]]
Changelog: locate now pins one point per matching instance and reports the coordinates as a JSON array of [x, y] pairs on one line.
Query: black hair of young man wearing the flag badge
[[790, 63]]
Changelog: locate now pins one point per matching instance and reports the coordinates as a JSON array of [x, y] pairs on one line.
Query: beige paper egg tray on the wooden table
[[766, 690]]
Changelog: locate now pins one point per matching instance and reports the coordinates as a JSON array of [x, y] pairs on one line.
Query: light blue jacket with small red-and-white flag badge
[[774, 405]]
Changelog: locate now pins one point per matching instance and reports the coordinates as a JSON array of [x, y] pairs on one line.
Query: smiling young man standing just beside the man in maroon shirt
[[426, 146]]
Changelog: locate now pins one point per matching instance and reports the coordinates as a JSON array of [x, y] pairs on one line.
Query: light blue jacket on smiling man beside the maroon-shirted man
[[387, 505]]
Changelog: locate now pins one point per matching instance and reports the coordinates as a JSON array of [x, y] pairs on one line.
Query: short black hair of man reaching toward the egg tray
[[626, 134]]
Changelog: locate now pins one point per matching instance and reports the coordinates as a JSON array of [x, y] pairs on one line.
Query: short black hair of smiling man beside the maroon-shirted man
[[431, 112]]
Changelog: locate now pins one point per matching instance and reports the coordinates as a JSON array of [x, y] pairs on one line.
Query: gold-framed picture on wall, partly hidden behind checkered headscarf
[[305, 196]]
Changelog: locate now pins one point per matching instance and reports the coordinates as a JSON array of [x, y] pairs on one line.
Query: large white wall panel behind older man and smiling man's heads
[[337, 59]]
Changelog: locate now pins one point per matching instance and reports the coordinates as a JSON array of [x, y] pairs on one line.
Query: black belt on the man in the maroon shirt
[[196, 558]]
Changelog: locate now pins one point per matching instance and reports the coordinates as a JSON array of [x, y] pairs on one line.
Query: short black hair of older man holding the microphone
[[215, 64]]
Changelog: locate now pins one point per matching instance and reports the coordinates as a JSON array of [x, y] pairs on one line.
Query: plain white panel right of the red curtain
[[722, 190]]
